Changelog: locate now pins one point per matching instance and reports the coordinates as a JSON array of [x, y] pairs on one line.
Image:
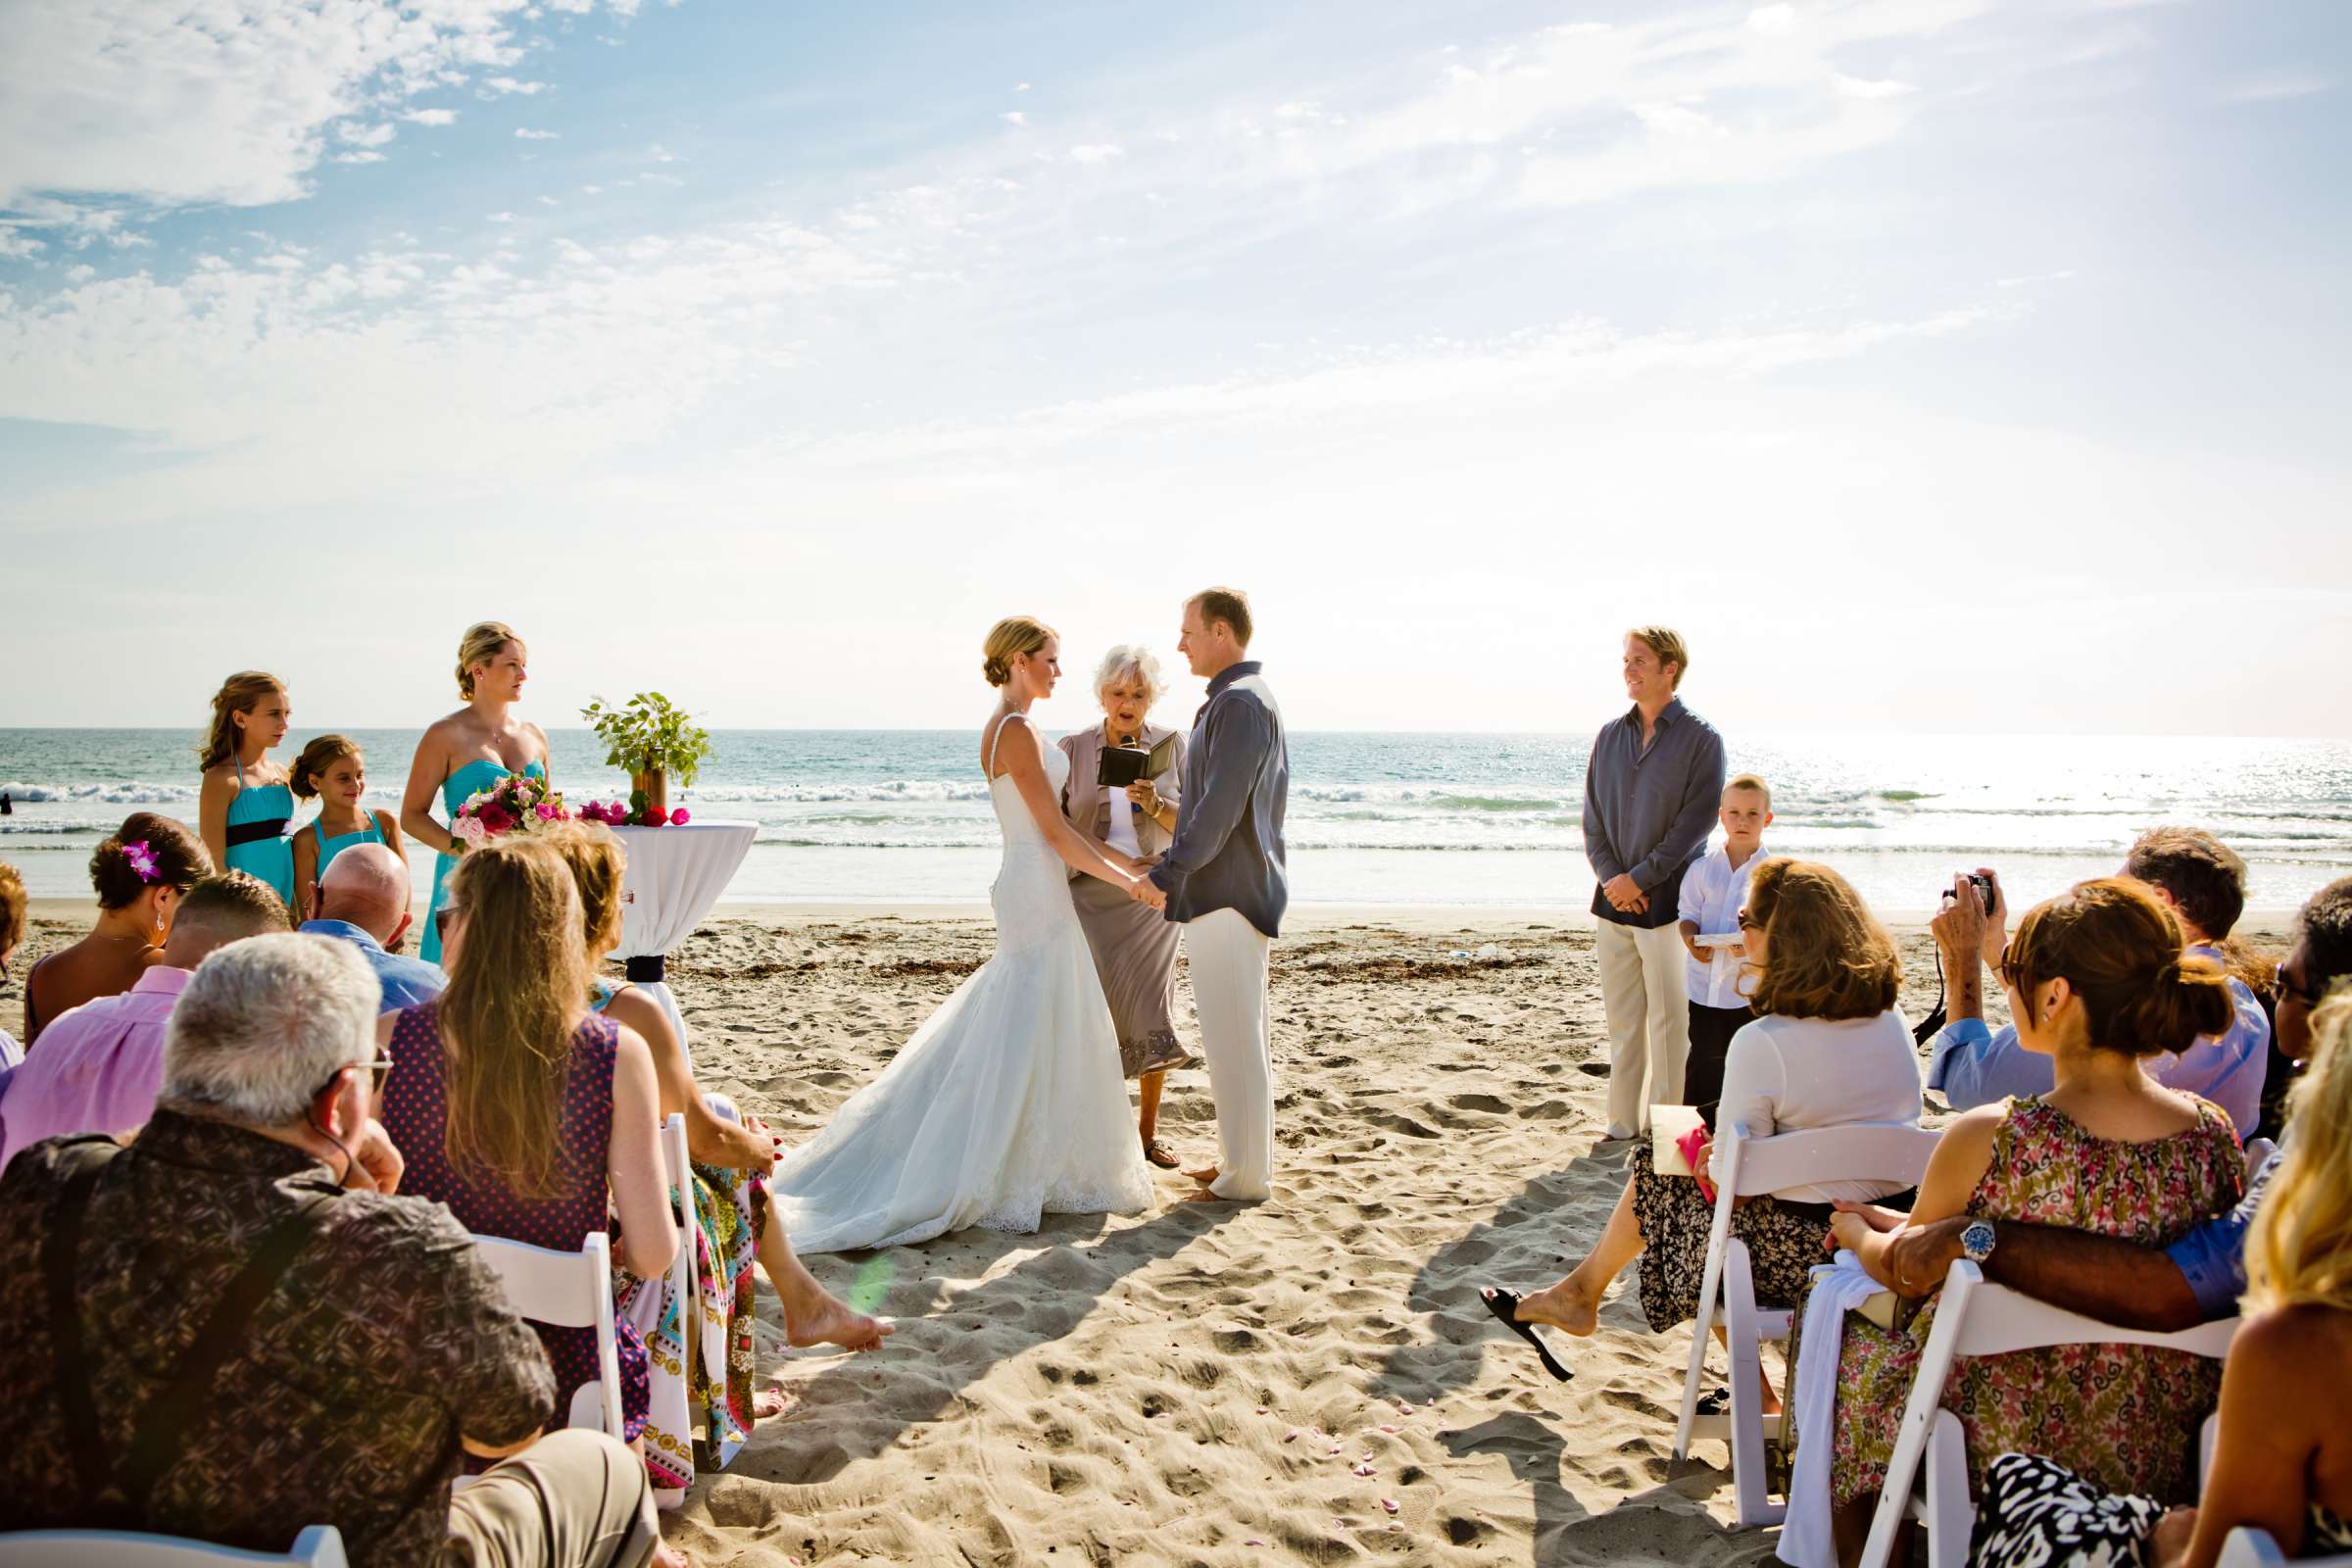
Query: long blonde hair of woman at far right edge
[[2301, 1247]]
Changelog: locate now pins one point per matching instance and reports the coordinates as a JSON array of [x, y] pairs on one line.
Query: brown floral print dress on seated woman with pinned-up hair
[[2120, 1416]]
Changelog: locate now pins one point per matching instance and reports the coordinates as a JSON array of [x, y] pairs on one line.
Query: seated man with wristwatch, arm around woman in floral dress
[[2191, 1282]]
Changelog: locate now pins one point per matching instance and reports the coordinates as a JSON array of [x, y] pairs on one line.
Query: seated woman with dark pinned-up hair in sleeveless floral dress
[[2094, 979]]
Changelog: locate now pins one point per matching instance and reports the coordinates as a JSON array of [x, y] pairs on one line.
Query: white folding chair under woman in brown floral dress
[[1979, 1320]]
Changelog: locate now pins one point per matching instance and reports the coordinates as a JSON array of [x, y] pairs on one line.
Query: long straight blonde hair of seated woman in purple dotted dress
[[516, 993]]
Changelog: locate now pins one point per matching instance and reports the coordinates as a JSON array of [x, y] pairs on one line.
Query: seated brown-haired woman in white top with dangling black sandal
[[1826, 1050]]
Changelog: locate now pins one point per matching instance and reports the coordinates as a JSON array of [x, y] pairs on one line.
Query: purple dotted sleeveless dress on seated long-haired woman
[[415, 1111]]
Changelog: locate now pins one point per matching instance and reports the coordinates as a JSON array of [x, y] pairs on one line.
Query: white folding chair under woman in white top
[[1749, 1167]]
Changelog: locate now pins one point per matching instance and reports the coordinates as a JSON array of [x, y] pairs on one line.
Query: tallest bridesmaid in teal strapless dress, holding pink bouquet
[[472, 749]]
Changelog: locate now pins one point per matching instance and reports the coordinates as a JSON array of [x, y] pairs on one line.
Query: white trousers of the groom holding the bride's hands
[[1229, 989]]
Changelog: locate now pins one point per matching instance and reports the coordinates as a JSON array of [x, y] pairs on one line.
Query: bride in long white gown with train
[[1008, 1104]]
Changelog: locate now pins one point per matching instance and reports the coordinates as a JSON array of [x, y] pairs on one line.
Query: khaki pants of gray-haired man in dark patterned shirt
[[570, 1501]]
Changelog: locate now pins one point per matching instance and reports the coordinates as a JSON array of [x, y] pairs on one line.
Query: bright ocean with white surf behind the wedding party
[[1375, 819]]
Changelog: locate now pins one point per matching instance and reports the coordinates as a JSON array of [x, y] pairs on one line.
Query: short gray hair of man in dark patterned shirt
[[265, 1024]]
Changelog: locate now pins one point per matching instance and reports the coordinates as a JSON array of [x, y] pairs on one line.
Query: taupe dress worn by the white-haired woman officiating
[[1135, 946]]
